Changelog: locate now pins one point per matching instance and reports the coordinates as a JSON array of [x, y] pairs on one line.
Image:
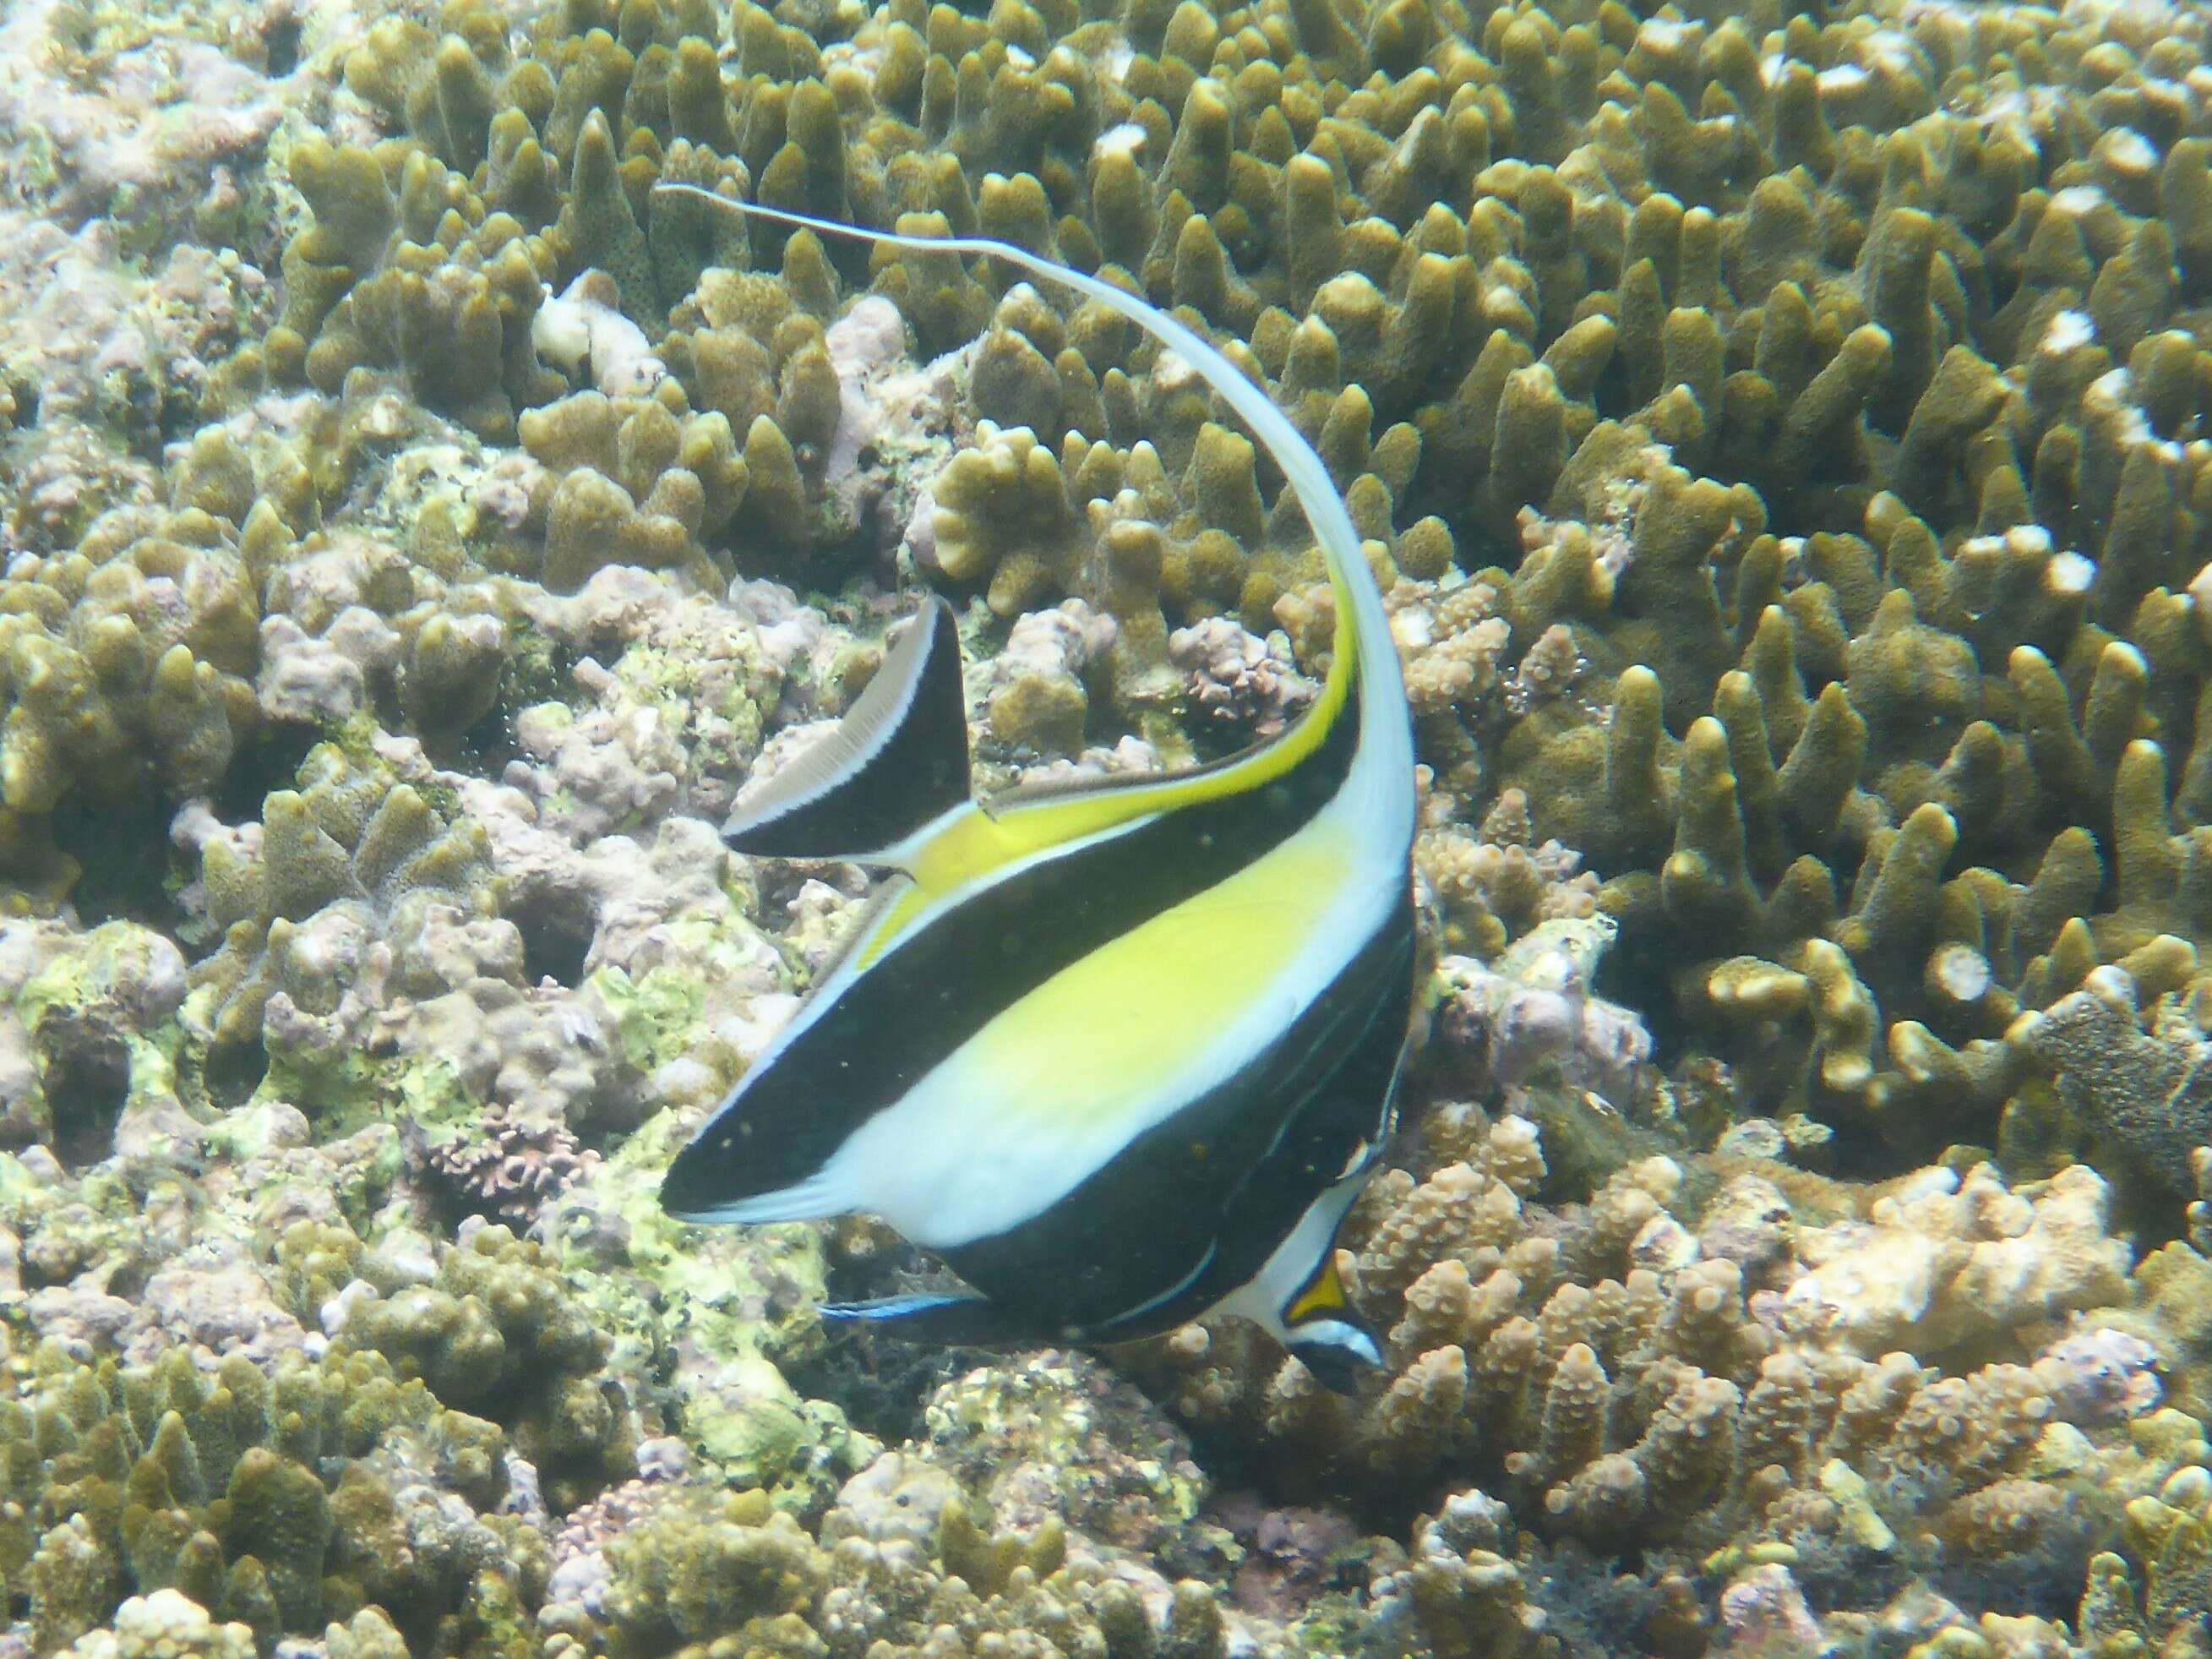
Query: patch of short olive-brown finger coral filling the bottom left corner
[[205, 1492]]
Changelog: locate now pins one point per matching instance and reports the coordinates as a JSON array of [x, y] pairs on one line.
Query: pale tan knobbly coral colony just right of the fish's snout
[[1777, 1361]]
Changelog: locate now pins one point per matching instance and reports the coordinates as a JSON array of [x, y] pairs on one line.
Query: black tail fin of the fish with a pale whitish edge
[[895, 764]]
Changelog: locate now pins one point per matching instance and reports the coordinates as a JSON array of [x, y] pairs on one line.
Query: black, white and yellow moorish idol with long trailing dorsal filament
[[1118, 1052]]
